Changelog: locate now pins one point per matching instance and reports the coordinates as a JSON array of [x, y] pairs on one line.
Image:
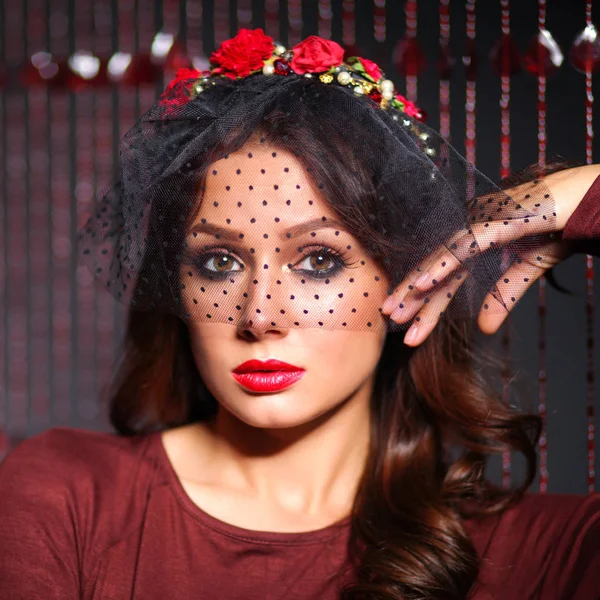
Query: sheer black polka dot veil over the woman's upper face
[[285, 202]]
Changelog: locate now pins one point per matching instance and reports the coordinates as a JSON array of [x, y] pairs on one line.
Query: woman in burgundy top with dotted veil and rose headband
[[278, 233]]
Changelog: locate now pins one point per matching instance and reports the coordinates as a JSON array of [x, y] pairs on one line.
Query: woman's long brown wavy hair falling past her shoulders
[[437, 419]]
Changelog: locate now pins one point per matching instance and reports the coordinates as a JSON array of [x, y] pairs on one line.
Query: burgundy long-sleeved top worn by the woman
[[98, 516]]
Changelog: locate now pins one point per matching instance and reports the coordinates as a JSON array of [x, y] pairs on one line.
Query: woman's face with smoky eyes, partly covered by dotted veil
[[272, 294]]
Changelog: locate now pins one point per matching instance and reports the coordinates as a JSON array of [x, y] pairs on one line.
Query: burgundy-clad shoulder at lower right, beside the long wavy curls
[[545, 544]]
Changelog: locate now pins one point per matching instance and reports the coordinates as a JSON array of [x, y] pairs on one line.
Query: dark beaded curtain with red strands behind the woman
[[508, 84]]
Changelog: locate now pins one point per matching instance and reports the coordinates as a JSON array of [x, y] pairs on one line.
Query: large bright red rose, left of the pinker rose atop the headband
[[242, 54]]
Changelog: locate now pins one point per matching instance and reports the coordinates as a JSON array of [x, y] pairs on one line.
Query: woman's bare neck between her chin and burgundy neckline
[[311, 469]]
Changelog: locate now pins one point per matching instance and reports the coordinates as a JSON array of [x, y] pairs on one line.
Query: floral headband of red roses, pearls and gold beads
[[252, 51]]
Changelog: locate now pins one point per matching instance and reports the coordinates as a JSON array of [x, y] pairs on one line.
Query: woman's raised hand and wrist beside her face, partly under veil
[[442, 274]]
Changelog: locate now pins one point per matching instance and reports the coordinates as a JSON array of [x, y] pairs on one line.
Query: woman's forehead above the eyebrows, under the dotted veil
[[262, 184]]
